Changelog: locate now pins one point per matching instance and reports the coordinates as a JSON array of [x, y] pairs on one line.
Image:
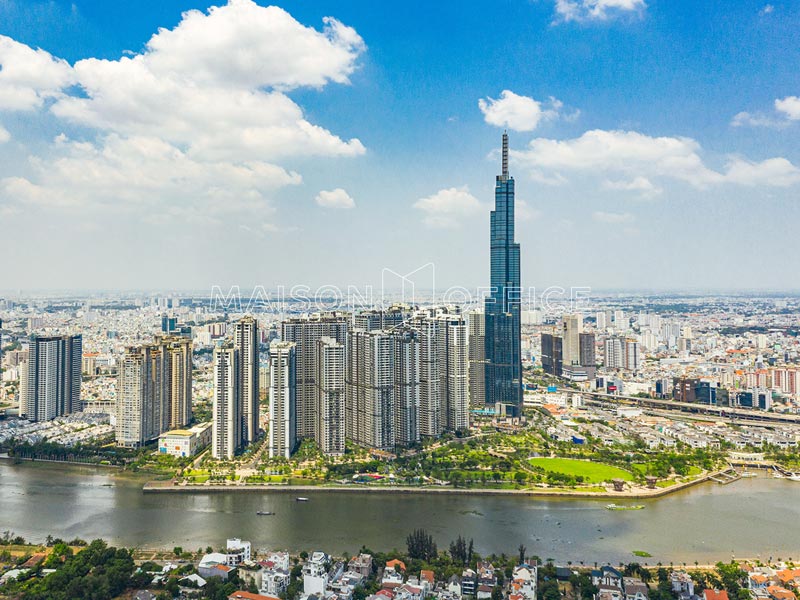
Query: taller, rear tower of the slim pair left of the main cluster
[[246, 340]]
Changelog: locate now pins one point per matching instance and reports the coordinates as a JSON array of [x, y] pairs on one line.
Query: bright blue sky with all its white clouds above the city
[[654, 142]]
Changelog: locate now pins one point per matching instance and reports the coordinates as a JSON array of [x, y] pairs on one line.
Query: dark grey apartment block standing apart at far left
[[53, 386]]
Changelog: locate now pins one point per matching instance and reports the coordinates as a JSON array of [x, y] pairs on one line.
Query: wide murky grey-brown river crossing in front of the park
[[755, 517]]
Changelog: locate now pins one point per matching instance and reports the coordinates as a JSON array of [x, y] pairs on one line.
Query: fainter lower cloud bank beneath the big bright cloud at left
[[145, 176]]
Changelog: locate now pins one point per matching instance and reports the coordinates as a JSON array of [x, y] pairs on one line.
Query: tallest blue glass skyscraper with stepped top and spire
[[502, 306]]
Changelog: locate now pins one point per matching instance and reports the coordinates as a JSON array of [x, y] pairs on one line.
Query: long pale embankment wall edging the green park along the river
[[205, 488]]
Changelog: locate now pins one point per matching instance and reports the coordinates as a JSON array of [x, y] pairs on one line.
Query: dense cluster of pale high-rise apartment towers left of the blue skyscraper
[[381, 378]]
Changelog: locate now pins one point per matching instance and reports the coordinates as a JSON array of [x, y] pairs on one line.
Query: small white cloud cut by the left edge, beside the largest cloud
[[28, 77]]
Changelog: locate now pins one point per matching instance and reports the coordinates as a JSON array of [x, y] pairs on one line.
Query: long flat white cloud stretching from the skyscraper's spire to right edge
[[632, 154]]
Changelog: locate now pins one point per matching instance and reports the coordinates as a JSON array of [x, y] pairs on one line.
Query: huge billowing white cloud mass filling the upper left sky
[[195, 122]]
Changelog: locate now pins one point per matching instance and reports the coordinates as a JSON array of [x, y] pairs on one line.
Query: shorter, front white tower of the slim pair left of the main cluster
[[226, 438]]
